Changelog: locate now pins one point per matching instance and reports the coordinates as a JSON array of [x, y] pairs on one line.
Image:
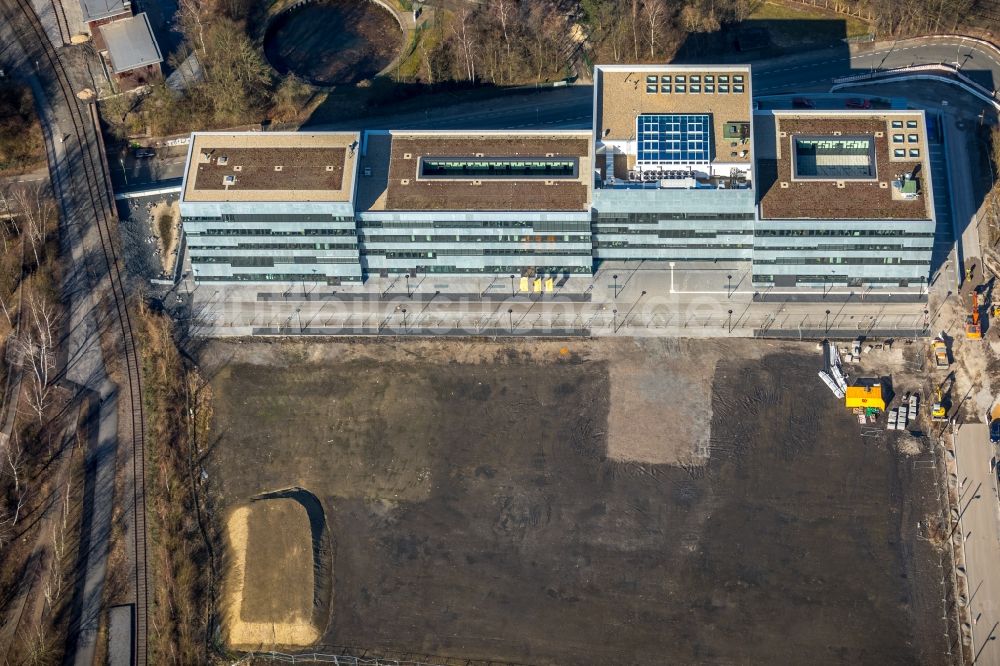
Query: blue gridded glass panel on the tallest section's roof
[[674, 138]]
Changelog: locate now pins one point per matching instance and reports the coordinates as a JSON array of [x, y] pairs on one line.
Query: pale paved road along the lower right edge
[[980, 525]]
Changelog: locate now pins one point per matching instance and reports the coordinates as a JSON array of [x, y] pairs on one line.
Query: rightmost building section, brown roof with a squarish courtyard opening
[[845, 199]]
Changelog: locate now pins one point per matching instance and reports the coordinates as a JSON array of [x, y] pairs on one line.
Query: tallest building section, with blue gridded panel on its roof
[[674, 163]]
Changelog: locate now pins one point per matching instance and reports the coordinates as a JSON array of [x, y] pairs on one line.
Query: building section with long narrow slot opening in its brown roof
[[482, 203]]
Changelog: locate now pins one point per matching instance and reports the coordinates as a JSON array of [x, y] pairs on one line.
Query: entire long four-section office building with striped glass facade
[[678, 167]]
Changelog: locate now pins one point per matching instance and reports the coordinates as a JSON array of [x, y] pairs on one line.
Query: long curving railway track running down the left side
[[91, 170]]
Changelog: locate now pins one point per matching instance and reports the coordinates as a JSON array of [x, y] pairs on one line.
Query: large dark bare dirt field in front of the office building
[[589, 502]]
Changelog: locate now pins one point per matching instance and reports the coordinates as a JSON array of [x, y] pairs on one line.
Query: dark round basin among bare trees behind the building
[[333, 42]]
